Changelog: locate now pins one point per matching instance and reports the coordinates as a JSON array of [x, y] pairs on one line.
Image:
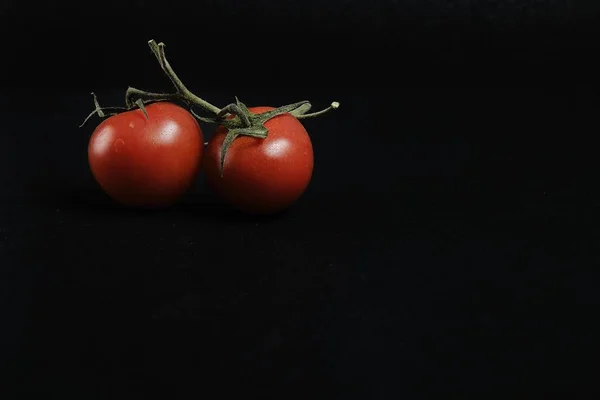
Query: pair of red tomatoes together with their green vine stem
[[260, 160]]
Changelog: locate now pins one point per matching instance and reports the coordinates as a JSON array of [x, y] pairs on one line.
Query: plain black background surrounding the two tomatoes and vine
[[447, 245]]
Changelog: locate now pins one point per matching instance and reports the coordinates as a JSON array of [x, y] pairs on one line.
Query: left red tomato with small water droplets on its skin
[[148, 163]]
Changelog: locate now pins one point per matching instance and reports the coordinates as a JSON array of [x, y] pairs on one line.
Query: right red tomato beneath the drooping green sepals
[[262, 176]]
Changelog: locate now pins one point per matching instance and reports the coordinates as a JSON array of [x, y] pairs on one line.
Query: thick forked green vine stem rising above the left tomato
[[182, 92]]
